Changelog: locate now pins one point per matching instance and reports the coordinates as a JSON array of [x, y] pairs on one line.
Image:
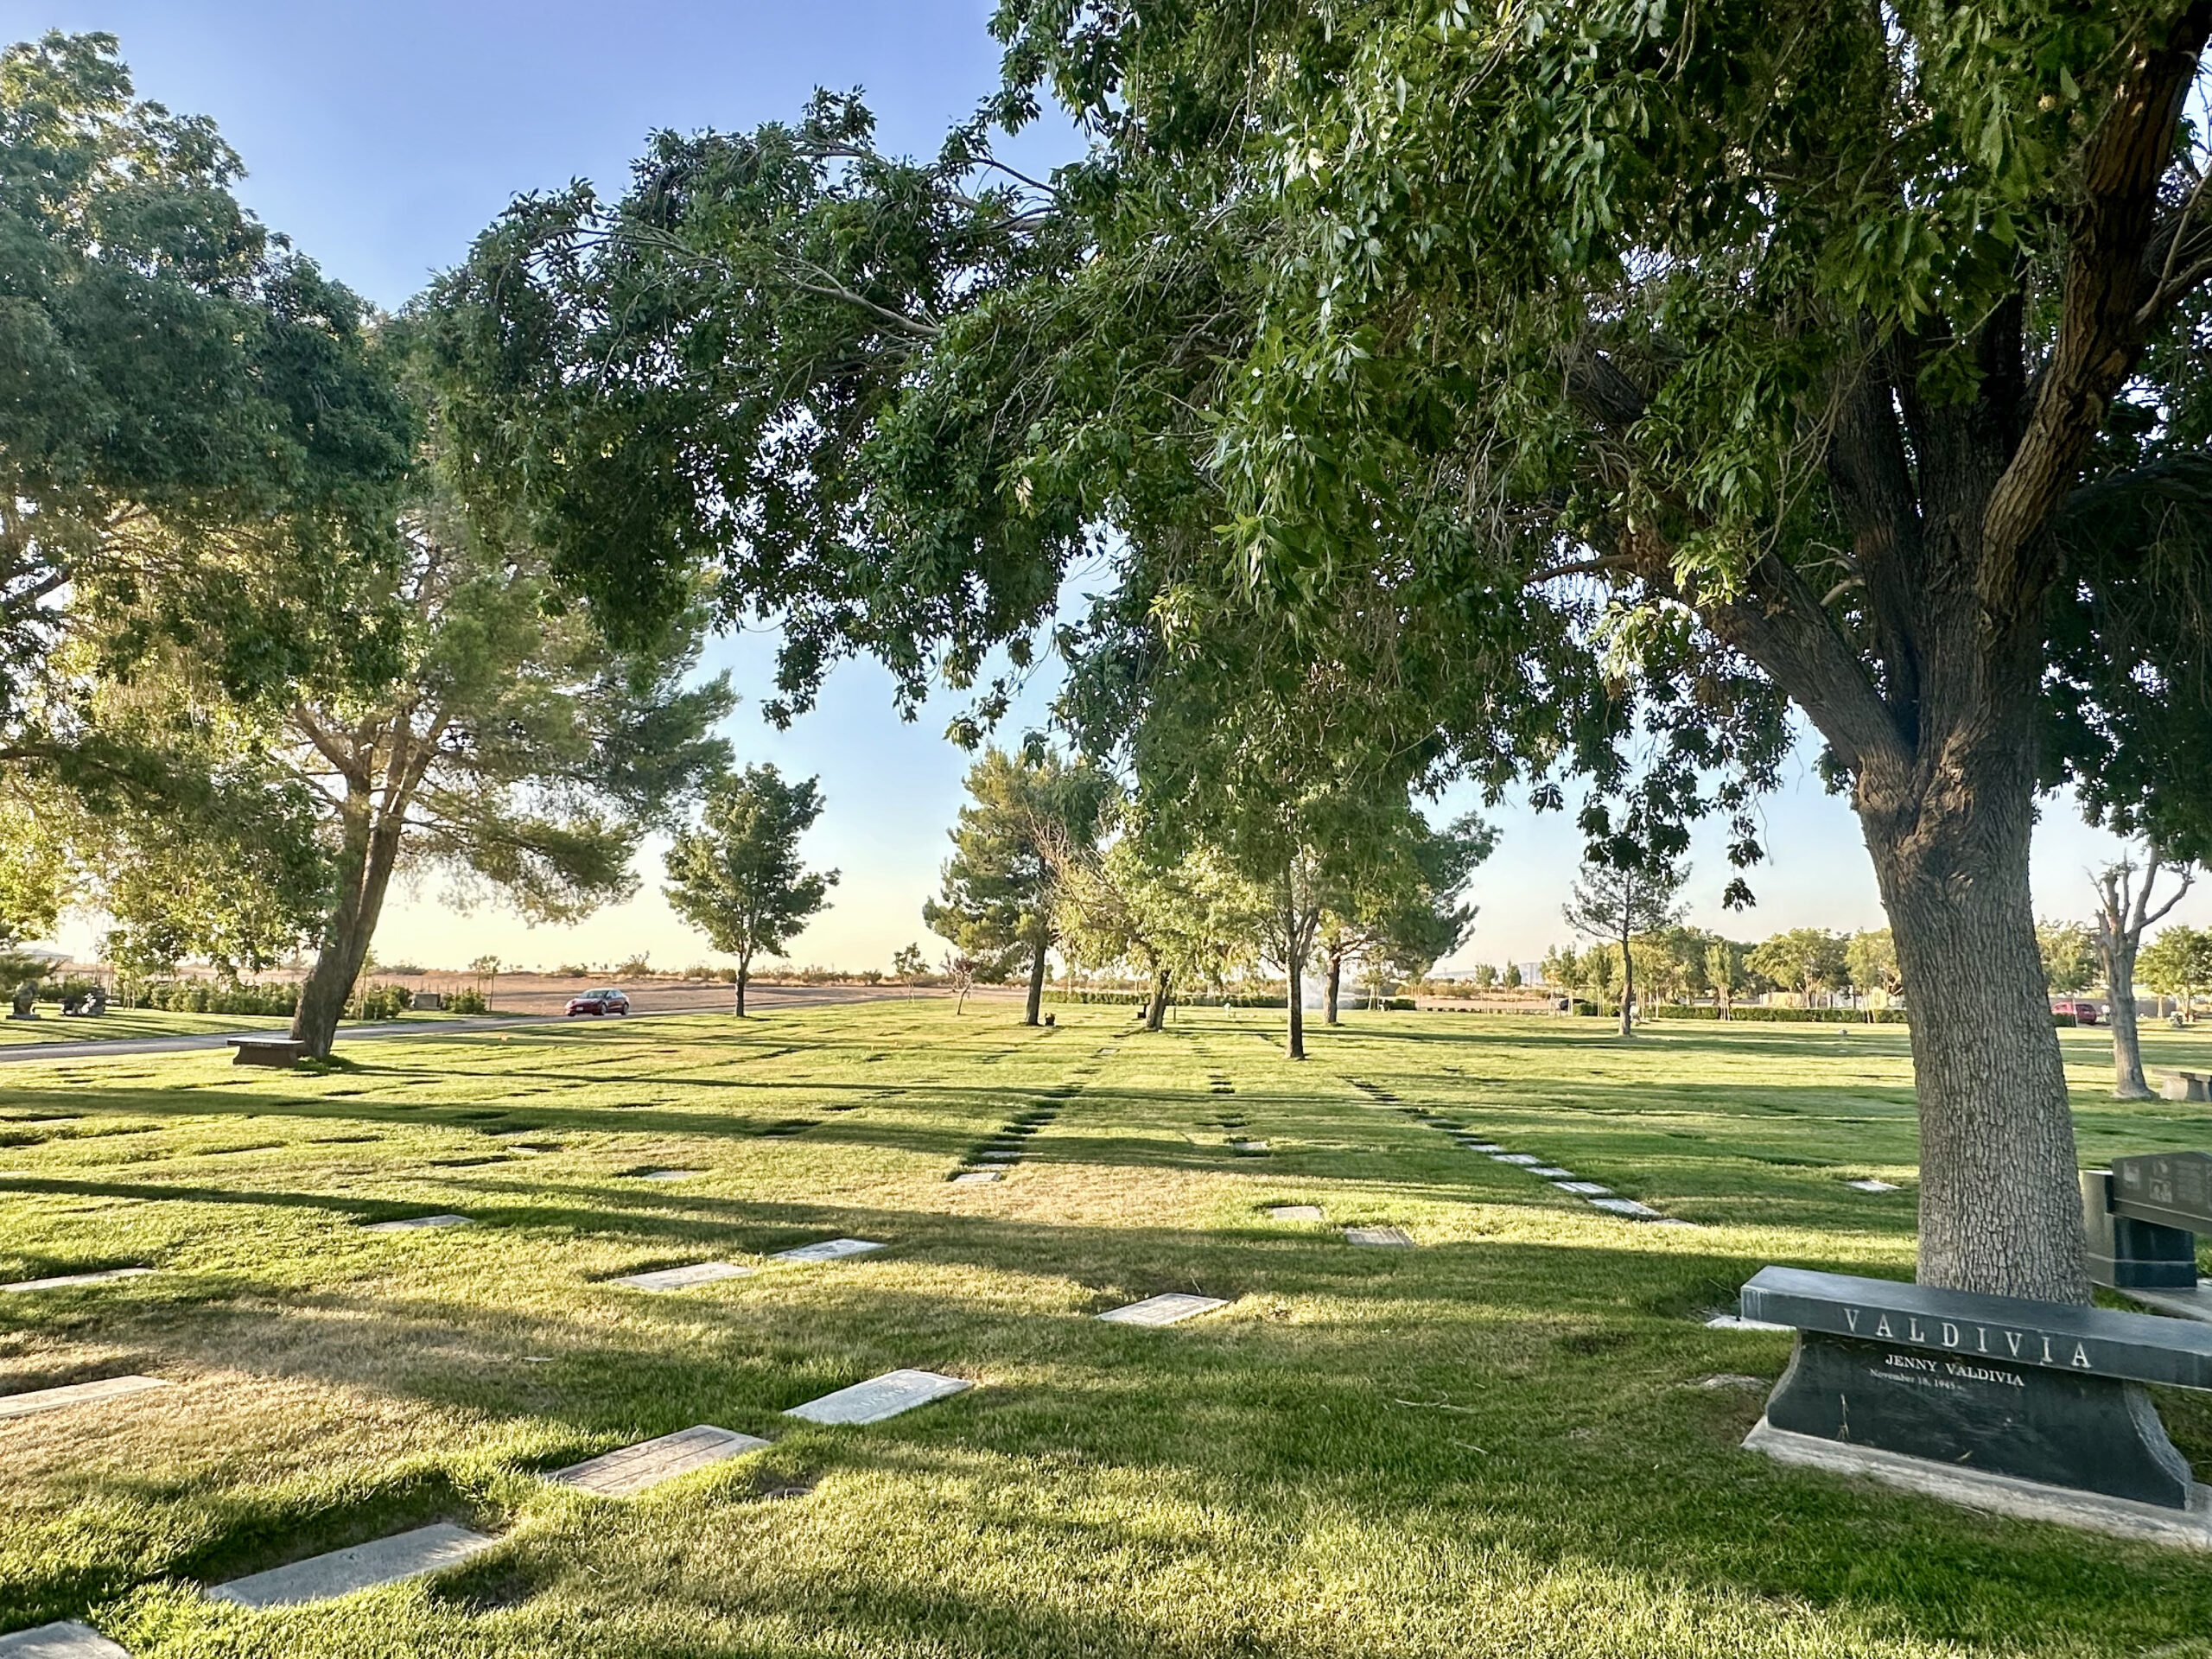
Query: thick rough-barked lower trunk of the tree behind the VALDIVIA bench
[[2001, 1207]]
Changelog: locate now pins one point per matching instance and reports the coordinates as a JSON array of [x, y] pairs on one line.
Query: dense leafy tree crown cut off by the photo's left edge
[[198, 432]]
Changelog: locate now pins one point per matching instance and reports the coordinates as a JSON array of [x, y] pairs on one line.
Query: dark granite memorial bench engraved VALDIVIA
[[2023, 1406]]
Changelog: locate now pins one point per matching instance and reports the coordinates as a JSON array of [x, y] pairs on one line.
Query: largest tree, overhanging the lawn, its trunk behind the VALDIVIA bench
[[1576, 373]]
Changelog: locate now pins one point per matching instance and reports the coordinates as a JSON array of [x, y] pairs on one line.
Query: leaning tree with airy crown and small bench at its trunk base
[[512, 749]]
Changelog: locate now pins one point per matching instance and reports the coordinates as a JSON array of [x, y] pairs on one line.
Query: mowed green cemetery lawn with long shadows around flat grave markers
[[1514, 1439]]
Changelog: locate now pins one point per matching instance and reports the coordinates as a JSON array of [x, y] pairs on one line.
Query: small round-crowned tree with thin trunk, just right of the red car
[[738, 875]]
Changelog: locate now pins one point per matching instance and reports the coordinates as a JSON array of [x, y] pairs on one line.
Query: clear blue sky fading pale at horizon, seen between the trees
[[382, 138]]
